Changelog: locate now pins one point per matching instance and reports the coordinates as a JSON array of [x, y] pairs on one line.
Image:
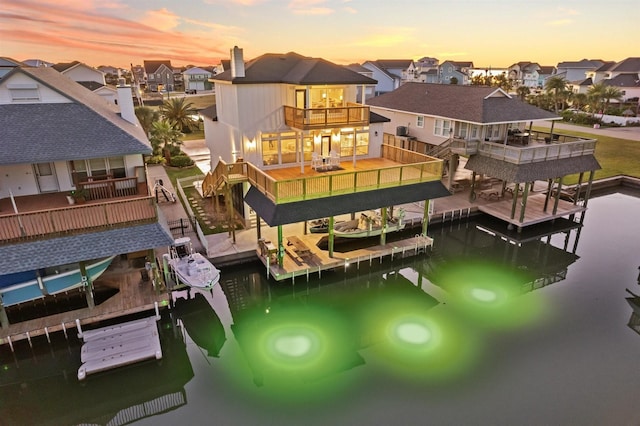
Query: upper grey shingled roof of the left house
[[86, 127]]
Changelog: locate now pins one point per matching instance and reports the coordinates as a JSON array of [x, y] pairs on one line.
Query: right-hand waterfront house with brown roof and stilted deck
[[494, 131]]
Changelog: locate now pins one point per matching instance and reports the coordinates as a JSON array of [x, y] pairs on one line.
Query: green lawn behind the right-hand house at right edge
[[616, 156]]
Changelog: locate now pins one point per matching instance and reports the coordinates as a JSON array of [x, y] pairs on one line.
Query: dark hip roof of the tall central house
[[292, 68]]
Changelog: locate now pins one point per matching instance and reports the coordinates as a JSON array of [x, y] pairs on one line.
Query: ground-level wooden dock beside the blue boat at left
[[134, 296]]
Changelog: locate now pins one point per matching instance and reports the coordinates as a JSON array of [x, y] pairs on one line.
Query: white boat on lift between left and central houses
[[188, 267]]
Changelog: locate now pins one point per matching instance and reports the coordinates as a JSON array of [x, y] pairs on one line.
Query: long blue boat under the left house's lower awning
[[32, 285]]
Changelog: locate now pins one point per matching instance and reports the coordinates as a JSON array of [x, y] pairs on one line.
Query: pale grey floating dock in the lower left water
[[118, 345]]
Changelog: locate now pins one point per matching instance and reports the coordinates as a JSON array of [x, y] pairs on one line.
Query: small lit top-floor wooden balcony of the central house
[[322, 118]]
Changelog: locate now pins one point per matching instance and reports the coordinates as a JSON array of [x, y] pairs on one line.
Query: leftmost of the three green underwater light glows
[[293, 351]]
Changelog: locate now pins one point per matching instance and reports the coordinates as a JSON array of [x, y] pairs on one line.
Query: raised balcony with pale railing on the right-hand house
[[527, 148]]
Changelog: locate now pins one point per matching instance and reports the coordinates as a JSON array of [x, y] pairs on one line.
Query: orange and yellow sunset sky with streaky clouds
[[493, 33]]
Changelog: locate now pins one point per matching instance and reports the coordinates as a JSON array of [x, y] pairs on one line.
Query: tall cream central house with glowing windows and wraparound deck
[[289, 143]]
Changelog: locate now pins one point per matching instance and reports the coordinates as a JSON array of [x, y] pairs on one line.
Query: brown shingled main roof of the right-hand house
[[474, 104]]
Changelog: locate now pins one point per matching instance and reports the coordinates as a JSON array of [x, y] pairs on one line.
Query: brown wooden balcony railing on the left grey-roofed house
[[76, 219]]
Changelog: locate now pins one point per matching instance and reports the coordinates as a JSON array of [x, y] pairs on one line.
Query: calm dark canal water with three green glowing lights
[[483, 330]]
